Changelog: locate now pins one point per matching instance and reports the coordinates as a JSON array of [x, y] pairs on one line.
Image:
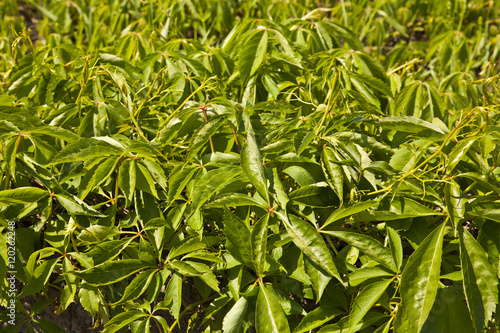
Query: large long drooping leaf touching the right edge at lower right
[[480, 280]]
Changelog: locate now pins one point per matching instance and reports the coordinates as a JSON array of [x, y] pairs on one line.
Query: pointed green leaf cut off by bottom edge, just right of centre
[[269, 316]]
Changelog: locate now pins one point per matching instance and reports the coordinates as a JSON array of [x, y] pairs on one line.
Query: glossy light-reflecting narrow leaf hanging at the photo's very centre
[[251, 162]]
